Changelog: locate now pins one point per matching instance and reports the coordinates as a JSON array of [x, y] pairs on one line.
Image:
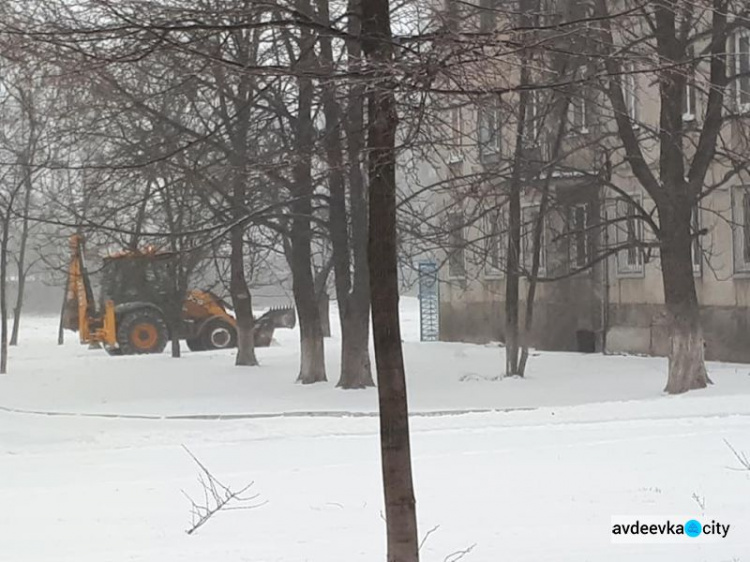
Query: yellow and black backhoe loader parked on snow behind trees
[[131, 317]]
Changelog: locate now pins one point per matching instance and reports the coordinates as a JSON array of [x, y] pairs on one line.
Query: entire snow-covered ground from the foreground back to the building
[[92, 465]]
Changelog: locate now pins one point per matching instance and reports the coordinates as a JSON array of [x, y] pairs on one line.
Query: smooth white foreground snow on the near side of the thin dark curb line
[[518, 485]]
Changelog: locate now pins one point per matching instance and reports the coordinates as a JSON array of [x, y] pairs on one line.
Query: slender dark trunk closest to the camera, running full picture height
[[400, 506]]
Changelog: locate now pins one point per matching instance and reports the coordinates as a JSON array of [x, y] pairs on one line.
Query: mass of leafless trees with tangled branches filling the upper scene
[[238, 133]]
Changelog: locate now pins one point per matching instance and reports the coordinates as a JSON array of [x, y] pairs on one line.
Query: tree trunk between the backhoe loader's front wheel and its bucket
[[242, 302]]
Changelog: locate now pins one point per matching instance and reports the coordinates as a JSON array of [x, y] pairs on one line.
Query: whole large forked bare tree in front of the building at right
[[657, 40]]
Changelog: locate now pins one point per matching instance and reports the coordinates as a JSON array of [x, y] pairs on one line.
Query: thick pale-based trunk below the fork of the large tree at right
[[687, 368]]
